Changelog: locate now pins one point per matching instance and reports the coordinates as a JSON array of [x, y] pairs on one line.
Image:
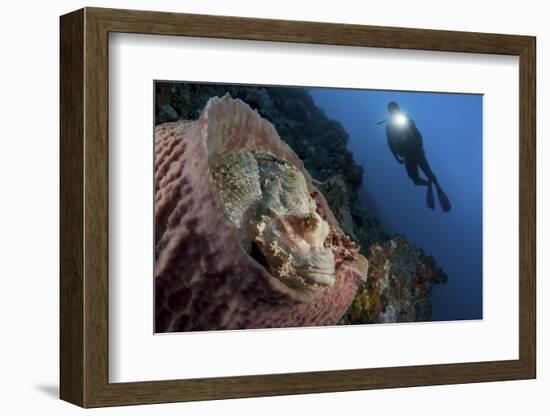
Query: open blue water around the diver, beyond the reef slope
[[451, 126]]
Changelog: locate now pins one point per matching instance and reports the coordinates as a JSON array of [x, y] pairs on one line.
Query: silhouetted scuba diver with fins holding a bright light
[[406, 145]]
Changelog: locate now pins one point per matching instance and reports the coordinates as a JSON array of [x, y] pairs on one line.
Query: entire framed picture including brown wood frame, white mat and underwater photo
[[256, 207]]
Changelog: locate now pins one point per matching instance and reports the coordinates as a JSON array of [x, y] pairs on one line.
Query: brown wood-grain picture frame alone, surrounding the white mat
[[84, 213]]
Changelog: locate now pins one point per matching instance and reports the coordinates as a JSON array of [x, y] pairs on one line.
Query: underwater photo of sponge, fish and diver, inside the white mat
[[283, 206]]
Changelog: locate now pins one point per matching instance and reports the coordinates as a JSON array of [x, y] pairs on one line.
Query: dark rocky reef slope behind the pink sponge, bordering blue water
[[400, 276]]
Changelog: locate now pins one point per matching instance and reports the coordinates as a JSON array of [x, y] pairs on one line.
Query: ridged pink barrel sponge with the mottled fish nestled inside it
[[242, 237]]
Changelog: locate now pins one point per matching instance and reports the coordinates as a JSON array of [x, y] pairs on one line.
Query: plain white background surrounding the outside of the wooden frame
[[29, 159]]
